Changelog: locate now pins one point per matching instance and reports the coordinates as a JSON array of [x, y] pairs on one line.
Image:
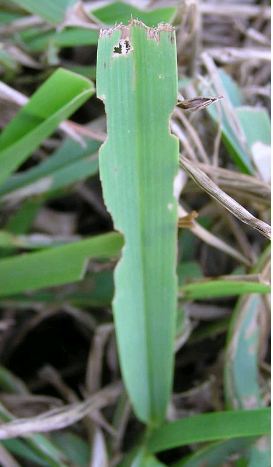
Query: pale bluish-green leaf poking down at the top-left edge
[[52, 11]]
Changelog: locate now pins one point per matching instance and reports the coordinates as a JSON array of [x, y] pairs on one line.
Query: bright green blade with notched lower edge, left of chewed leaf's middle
[[54, 266]]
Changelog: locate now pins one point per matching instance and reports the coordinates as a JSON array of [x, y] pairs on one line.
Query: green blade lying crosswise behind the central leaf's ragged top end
[[119, 12]]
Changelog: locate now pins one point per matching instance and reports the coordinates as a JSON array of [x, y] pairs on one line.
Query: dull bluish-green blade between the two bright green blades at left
[[69, 164]]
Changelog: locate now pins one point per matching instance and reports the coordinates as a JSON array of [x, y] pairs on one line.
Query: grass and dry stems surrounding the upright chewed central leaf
[[60, 380]]
